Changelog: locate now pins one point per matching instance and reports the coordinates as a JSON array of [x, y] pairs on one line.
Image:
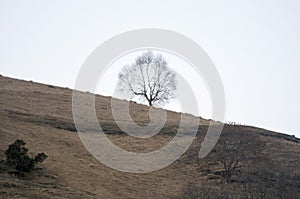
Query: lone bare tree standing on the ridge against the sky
[[149, 79]]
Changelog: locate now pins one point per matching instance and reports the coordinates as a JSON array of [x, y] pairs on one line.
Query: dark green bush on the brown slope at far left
[[16, 155]]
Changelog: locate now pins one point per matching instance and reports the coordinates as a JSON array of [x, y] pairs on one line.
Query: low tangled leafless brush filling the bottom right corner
[[262, 183]]
